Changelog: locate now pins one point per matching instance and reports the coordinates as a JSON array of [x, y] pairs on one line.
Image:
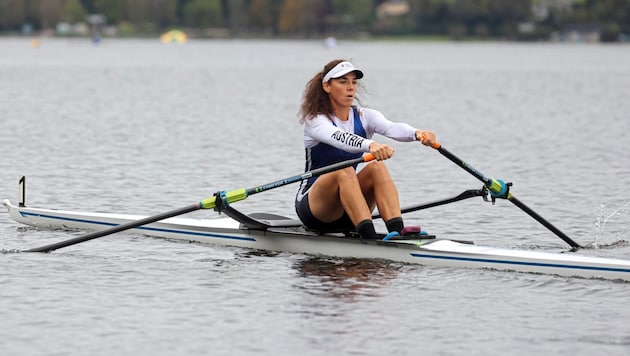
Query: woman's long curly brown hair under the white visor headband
[[315, 100]]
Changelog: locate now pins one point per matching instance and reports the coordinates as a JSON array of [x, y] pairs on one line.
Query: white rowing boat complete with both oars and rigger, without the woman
[[277, 233]]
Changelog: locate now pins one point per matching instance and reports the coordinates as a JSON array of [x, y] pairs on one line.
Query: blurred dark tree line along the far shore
[[506, 19]]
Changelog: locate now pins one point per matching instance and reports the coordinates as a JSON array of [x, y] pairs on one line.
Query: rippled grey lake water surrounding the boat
[[135, 126]]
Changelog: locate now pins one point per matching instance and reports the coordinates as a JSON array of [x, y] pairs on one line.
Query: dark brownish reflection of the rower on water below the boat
[[347, 278]]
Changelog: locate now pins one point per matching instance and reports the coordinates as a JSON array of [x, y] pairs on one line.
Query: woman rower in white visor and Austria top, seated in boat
[[335, 130]]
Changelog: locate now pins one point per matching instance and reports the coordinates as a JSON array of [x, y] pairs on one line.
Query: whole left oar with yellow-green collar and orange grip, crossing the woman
[[223, 198]]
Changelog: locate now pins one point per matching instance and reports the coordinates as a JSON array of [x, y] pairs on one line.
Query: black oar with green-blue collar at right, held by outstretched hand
[[500, 189]]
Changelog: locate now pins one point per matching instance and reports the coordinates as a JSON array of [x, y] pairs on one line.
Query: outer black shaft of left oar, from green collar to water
[[115, 229]]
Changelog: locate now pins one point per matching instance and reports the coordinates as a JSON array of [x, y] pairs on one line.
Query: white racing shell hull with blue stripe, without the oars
[[276, 233]]
